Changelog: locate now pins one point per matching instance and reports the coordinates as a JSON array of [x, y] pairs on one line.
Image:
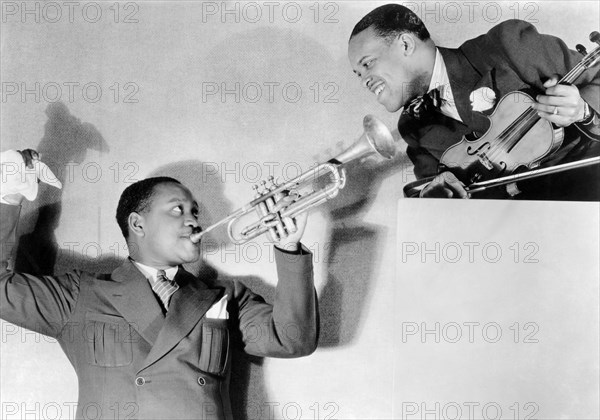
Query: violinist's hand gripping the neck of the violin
[[561, 104]]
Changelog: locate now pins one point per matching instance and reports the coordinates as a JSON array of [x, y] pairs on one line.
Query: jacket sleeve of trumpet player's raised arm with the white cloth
[[39, 303]]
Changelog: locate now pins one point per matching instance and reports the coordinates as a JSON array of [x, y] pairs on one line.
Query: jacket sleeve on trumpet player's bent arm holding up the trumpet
[[289, 327]]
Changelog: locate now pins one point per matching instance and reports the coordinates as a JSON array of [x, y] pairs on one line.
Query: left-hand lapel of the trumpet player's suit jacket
[[131, 294]]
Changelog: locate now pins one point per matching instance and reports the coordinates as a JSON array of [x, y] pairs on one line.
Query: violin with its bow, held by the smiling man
[[518, 140]]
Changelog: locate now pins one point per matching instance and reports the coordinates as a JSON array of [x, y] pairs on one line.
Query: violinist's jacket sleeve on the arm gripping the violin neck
[[536, 57]]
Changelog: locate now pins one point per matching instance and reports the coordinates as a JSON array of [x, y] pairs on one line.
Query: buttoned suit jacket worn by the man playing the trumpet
[[131, 360]]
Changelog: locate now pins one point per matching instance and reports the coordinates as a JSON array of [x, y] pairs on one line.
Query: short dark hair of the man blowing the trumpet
[[136, 198]]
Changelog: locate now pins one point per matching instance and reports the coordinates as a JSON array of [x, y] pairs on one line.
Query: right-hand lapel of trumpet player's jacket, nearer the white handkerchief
[[186, 308]]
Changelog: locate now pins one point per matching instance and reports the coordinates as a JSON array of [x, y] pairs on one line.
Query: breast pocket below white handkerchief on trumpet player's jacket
[[214, 350]]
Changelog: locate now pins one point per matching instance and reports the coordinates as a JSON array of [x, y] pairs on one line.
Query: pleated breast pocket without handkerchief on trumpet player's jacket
[[109, 340]]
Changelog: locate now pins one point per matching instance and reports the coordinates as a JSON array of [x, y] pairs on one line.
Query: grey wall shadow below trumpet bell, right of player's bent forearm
[[355, 249]]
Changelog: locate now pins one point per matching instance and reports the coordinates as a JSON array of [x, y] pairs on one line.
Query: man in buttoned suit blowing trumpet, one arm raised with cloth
[[150, 340]]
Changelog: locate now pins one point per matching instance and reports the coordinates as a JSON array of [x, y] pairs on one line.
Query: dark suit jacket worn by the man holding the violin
[[511, 56]]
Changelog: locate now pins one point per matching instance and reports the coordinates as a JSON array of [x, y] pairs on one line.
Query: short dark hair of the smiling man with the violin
[[391, 20]]
